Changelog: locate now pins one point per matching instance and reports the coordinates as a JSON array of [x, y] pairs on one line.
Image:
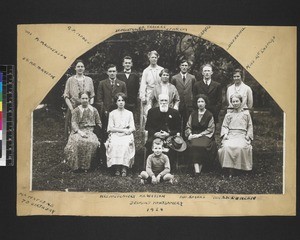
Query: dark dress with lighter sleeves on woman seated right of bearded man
[[203, 149]]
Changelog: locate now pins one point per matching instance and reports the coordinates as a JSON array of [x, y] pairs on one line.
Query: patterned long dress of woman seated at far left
[[81, 151]]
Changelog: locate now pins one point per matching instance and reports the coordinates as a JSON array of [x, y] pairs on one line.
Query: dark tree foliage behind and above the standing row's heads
[[172, 47]]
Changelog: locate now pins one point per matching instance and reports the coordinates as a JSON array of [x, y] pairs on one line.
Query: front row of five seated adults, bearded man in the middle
[[162, 123]]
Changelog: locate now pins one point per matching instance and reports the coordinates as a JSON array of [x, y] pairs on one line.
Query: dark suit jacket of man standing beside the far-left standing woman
[[105, 94]]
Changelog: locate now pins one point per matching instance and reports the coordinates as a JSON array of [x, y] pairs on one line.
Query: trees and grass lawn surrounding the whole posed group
[[51, 173]]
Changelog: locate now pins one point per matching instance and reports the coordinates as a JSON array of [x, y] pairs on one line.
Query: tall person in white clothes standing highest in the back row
[[150, 79]]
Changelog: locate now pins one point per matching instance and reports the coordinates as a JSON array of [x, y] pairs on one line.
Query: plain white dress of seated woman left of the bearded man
[[120, 148]]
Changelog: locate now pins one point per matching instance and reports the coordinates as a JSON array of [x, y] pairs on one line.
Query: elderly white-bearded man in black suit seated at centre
[[162, 121]]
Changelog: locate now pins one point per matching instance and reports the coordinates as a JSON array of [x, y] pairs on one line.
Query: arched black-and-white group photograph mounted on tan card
[[159, 111]]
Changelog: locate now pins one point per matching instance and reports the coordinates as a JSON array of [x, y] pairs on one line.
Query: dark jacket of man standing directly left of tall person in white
[[132, 85]]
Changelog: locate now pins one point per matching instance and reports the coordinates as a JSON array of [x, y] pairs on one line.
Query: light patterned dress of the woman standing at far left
[[72, 90]]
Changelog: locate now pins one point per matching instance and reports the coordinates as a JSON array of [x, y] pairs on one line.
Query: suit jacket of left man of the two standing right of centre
[[185, 90]]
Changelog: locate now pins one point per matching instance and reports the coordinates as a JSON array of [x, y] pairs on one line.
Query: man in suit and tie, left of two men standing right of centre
[[184, 83]]
